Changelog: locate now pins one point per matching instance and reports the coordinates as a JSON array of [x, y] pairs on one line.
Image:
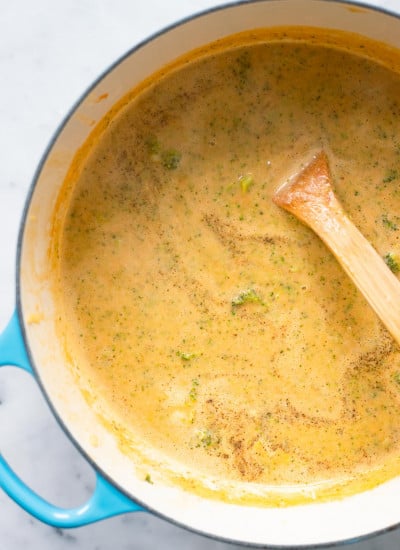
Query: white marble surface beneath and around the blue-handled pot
[[50, 51]]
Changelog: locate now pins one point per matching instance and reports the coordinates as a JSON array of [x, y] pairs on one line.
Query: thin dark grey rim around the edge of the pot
[[55, 135]]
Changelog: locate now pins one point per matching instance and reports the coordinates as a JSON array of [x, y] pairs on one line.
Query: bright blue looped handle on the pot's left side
[[106, 501]]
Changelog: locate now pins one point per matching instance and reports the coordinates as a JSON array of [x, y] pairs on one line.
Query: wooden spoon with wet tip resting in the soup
[[310, 197]]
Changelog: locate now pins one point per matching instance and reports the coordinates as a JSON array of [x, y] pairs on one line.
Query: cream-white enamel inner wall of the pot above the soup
[[306, 525]]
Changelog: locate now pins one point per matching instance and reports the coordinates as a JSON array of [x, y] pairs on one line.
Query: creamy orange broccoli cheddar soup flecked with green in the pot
[[216, 336]]
